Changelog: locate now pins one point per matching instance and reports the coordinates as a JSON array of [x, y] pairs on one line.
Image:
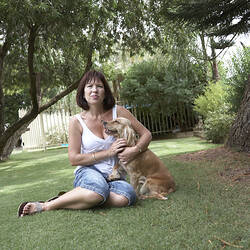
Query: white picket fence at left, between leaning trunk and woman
[[45, 126]]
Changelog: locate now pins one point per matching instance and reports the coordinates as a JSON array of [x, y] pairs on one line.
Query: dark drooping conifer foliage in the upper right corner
[[221, 18]]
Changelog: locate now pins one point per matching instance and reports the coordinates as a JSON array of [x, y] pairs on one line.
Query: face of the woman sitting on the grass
[[94, 92]]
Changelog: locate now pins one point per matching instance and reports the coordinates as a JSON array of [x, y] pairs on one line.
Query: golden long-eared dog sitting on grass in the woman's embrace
[[148, 174]]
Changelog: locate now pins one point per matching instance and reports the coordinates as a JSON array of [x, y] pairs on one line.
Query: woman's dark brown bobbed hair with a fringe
[[109, 100]]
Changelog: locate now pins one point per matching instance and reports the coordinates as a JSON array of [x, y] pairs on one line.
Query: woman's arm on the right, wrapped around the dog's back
[[144, 136]]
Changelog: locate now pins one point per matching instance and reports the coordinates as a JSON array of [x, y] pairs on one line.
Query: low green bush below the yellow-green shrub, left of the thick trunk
[[217, 126]]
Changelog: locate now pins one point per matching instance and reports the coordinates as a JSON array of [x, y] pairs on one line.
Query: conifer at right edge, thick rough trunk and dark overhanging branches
[[221, 19]]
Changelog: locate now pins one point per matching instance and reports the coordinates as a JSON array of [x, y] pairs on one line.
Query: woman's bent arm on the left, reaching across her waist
[[74, 149]]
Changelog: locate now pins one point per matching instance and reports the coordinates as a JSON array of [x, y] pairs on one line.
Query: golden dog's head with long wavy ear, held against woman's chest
[[121, 128]]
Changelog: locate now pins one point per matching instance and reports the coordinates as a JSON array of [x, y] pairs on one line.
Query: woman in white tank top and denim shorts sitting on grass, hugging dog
[[95, 152]]
